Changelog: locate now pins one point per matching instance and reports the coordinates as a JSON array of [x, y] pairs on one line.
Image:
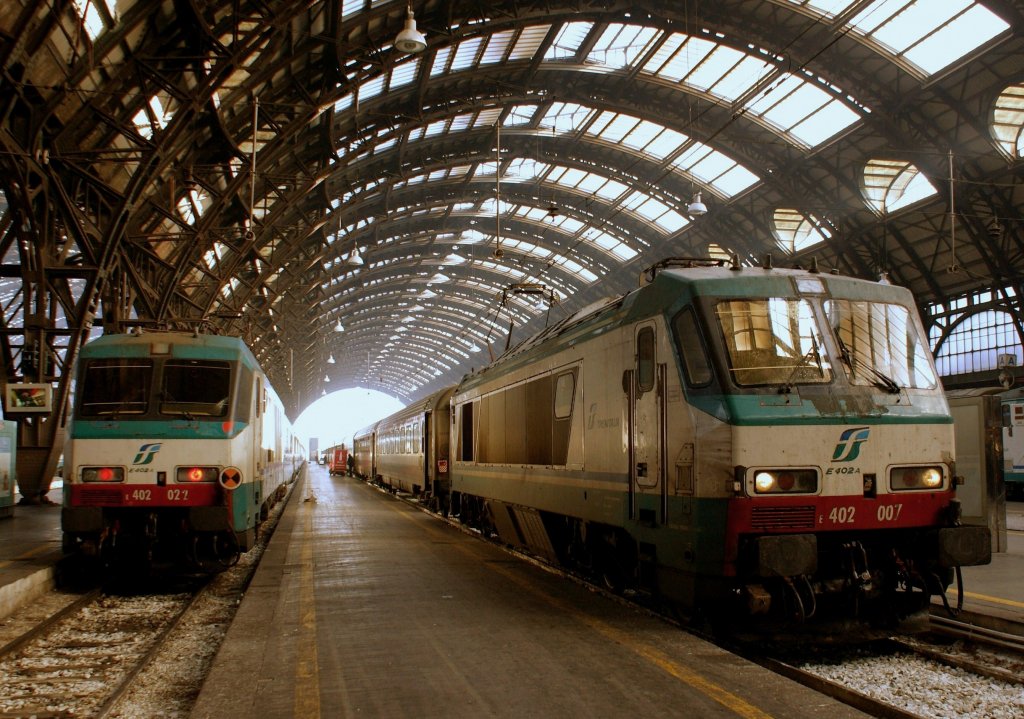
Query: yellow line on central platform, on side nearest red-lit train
[[308, 665]]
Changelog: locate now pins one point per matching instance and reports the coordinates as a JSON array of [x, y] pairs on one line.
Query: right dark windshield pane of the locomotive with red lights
[[196, 389]]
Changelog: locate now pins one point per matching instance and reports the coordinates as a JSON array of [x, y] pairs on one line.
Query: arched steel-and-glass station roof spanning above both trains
[[281, 171]]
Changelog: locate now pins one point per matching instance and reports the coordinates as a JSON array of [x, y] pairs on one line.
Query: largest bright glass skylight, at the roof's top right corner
[[929, 33]]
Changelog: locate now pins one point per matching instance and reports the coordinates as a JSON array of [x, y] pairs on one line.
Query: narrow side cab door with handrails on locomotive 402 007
[[648, 430]]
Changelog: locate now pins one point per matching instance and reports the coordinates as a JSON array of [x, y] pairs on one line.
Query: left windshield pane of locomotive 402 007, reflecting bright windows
[[774, 341]]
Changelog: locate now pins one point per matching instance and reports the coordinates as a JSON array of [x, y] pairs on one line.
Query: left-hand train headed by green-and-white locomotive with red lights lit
[[178, 447]]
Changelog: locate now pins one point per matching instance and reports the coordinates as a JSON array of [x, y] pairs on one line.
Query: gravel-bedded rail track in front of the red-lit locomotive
[[80, 661]]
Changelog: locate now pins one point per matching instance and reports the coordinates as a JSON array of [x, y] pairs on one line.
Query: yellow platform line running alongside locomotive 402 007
[[706, 687]]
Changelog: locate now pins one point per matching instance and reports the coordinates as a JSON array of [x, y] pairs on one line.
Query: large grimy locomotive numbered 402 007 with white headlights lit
[[765, 448]]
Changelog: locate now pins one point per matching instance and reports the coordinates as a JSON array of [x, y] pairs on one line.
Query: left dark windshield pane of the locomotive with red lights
[[112, 388]]
